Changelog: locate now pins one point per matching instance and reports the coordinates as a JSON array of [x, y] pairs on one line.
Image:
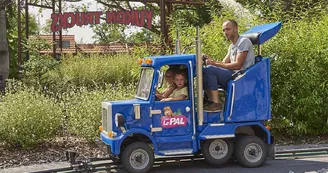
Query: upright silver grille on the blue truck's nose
[[107, 116]]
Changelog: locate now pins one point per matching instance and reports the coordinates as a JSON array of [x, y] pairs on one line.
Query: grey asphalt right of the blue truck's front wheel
[[300, 165]]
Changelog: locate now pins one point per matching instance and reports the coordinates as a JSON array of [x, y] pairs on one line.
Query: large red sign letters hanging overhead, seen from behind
[[140, 18]]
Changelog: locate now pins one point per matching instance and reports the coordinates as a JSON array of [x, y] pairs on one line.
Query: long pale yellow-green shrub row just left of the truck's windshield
[[88, 71]]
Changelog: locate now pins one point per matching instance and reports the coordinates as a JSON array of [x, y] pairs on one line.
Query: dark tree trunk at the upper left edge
[[4, 51]]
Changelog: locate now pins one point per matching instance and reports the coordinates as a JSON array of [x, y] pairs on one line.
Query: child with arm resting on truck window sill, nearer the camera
[[181, 92]]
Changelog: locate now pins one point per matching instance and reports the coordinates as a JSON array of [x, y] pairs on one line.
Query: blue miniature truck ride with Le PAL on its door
[[133, 131]]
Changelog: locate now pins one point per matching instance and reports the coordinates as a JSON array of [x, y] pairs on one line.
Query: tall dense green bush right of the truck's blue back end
[[299, 77]]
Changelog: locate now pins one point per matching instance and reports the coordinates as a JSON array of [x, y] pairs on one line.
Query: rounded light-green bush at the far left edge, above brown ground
[[28, 117]]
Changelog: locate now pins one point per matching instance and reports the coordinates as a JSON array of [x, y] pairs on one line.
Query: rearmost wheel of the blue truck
[[251, 151]]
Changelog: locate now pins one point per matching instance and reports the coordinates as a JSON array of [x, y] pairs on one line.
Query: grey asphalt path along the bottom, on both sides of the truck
[[315, 164]]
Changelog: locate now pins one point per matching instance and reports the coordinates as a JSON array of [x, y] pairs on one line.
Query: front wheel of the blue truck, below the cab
[[138, 158]]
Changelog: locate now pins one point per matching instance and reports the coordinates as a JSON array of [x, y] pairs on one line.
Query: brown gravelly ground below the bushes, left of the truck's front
[[49, 151]]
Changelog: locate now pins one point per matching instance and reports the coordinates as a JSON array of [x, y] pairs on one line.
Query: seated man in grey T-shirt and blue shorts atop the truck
[[240, 56]]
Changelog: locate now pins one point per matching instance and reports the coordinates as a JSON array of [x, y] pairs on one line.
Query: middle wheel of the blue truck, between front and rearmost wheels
[[218, 151]]
